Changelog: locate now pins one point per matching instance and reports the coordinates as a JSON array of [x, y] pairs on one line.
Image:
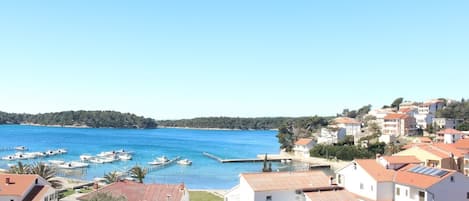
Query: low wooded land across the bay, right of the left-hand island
[[260, 123]]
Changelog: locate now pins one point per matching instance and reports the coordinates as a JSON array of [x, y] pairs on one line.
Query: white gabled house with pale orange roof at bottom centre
[[279, 186]]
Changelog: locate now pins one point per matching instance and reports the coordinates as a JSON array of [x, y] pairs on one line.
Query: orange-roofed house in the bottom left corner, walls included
[[26, 187]]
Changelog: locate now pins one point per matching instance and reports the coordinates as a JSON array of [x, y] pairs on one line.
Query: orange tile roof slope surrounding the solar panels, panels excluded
[[403, 176]]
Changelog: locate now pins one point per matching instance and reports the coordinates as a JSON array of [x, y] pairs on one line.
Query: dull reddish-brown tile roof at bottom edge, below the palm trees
[[134, 191]]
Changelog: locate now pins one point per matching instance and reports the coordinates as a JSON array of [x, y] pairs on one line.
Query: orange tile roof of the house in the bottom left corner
[[19, 184]]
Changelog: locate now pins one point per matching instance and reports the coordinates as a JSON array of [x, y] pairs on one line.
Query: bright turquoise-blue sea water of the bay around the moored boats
[[148, 144]]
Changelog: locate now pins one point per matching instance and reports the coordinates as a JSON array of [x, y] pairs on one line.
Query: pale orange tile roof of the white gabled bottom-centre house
[[273, 181]]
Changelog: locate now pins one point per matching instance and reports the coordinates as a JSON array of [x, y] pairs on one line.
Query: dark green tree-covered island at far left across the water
[[93, 119]]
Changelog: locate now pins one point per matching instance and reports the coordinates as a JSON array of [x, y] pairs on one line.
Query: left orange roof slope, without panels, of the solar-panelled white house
[[375, 170]]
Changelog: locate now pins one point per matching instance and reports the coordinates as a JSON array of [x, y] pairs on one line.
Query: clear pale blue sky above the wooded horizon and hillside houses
[[183, 59]]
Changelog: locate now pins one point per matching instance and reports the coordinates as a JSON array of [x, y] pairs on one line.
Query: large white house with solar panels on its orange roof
[[410, 182]]
